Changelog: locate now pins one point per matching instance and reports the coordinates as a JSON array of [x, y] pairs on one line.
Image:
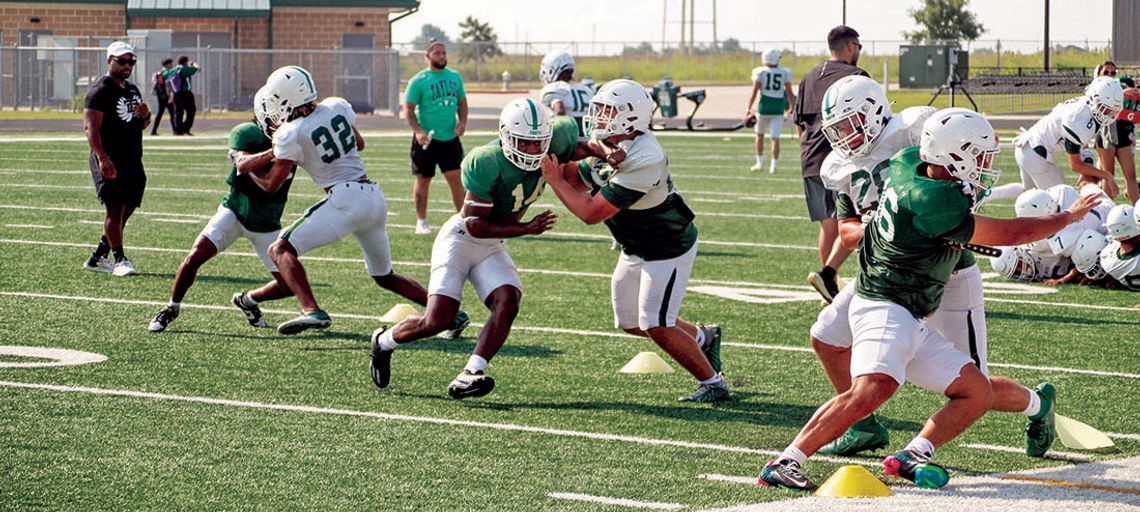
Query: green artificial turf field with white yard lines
[[215, 415]]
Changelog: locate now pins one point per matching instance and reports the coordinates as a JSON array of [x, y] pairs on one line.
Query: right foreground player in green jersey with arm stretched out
[[907, 257]]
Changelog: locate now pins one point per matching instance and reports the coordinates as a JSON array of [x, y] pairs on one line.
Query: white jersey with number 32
[[323, 143]]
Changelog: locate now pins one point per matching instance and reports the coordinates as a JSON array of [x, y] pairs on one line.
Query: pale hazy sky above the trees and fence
[[1012, 21]]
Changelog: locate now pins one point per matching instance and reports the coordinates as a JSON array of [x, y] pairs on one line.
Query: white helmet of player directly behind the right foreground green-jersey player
[[856, 112]]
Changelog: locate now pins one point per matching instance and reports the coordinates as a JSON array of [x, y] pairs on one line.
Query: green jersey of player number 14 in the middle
[[488, 174]]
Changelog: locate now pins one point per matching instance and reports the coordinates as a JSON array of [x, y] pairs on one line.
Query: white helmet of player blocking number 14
[[621, 107]]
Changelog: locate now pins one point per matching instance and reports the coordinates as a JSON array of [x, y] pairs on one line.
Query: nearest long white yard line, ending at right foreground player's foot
[[405, 418]]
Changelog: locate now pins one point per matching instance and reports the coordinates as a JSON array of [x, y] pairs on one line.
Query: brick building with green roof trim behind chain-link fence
[[238, 43]]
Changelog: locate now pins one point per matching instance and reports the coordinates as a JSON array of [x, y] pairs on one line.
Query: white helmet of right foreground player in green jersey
[[963, 142]]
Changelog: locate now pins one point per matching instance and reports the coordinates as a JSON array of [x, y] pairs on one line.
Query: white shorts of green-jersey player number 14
[[458, 257]]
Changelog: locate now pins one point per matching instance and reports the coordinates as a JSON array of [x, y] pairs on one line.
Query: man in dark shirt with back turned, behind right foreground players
[[821, 204]]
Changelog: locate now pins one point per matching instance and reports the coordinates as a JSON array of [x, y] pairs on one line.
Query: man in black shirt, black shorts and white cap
[[115, 118]]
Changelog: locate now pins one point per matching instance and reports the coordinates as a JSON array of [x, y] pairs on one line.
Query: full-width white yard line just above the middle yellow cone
[[519, 328]]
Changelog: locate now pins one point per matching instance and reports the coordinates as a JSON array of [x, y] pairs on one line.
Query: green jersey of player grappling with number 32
[[258, 210]]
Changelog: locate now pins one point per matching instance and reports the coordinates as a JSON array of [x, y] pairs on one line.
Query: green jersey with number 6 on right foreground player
[[906, 257]]
